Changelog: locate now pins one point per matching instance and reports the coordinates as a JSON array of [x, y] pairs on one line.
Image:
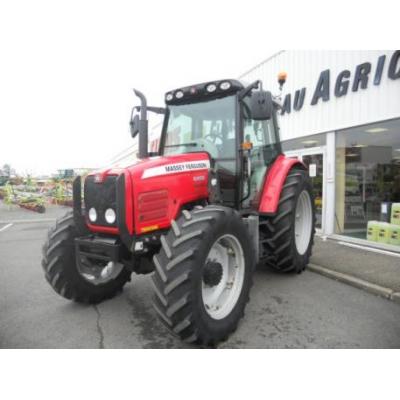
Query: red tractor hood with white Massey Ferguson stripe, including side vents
[[155, 189]]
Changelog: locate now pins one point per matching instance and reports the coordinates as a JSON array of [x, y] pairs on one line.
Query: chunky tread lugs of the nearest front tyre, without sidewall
[[172, 278]]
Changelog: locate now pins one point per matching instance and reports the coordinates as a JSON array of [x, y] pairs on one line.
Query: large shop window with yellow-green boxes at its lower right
[[368, 182]]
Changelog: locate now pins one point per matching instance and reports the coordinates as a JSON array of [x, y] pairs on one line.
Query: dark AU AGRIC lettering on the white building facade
[[364, 74]]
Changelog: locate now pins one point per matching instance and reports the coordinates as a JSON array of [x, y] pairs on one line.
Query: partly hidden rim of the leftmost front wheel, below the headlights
[[98, 272]]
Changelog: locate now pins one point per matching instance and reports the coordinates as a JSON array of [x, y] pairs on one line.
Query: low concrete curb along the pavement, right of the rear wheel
[[387, 293]]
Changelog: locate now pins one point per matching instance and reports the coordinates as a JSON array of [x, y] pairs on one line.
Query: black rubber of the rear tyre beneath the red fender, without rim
[[277, 233]]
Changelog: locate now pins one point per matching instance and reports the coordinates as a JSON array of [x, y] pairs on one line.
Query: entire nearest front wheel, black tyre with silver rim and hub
[[203, 274]]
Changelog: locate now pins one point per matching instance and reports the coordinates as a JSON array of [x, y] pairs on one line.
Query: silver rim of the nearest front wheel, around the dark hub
[[220, 298]]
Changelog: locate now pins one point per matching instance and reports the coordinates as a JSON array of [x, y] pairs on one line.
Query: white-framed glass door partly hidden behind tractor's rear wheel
[[314, 160]]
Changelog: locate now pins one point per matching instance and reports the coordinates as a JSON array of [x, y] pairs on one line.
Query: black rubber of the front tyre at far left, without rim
[[60, 268]]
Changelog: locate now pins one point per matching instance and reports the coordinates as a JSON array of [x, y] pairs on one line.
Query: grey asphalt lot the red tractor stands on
[[285, 311]]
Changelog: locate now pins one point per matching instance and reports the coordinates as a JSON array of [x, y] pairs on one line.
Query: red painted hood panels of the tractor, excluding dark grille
[[158, 174]]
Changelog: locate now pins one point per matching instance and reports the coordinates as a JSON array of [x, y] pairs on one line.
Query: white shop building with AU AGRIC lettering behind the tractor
[[342, 118]]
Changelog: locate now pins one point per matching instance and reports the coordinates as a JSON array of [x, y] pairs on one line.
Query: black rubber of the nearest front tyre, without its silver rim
[[179, 270]]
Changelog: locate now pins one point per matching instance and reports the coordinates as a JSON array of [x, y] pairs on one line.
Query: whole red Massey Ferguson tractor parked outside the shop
[[217, 198]]
